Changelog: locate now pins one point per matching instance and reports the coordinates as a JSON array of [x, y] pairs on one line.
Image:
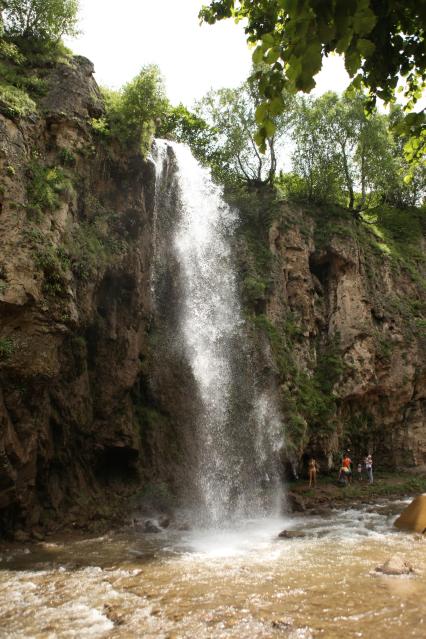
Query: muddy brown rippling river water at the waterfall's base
[[243, 582]]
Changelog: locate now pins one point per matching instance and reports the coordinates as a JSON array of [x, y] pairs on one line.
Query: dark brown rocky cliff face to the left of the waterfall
[[78, 429]]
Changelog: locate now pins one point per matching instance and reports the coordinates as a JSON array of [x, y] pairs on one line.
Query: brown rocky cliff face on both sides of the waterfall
[[92, 407]]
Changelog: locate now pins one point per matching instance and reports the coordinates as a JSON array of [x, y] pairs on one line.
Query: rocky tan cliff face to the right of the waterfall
[[351, 312]]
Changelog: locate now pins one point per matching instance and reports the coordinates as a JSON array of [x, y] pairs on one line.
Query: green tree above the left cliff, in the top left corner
[[47, 20]]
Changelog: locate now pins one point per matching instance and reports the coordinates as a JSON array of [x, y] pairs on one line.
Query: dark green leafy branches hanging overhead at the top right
[[381, 40]]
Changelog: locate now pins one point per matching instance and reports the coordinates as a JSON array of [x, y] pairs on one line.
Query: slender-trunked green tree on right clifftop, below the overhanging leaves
[[341, 154]]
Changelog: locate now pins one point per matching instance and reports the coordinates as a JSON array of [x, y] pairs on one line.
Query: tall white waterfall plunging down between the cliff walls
[[238, 429]]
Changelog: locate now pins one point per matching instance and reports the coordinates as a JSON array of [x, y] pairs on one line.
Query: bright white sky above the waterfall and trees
[[121, 37]]
